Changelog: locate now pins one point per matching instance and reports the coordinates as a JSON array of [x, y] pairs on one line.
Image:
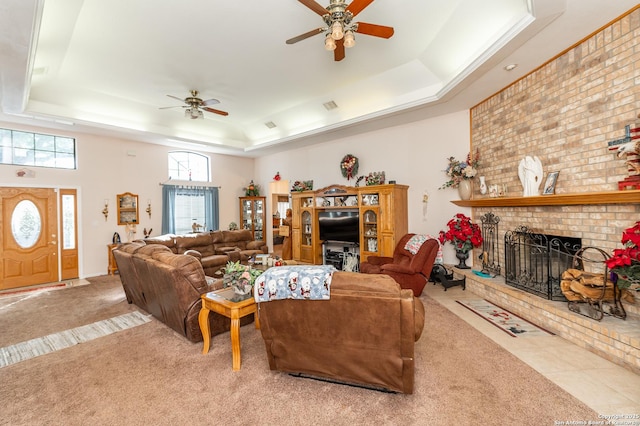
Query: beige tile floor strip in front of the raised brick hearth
[[602, 385]]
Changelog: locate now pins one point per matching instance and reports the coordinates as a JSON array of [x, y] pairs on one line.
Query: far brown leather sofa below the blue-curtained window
[[215, 248]]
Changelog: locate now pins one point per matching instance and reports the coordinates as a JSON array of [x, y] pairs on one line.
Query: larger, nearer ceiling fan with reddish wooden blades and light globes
[[340, 28]]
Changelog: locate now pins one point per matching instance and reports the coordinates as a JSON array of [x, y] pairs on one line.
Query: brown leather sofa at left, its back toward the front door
[[168, 286]]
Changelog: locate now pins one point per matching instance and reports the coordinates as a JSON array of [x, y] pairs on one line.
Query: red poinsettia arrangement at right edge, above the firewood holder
[[625, 263]]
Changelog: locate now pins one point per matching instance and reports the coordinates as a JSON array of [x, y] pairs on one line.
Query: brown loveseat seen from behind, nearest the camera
[[363, 335]]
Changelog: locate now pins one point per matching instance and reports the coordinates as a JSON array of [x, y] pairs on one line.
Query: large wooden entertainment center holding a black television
[[333, 224]]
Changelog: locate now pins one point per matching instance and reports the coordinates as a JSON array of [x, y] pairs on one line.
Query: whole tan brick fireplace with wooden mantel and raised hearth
[[565, 112]]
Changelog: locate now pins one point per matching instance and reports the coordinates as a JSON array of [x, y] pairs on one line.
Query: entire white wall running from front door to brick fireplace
[[413, 154]]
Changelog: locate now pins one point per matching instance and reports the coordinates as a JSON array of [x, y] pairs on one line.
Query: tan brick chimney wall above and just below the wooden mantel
[[565, 113]]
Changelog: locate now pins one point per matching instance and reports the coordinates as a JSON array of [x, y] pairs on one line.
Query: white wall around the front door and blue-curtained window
[[108, 166]]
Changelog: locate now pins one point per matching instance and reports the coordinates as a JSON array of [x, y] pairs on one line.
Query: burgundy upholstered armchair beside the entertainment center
[[410, 270]]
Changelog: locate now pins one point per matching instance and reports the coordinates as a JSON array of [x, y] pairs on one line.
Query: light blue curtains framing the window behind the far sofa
[[211, 206]]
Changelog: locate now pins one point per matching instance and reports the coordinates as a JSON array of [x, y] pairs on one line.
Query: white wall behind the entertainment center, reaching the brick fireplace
[[413, 154]]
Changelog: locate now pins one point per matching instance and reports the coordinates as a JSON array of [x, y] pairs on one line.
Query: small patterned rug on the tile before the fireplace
[[503, 319]]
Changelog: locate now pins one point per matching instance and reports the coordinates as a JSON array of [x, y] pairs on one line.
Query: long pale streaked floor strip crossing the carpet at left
[[67, 338]]
